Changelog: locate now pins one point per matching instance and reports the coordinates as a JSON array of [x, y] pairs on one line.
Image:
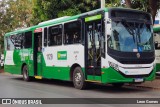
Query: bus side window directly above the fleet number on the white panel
[[55, 35]]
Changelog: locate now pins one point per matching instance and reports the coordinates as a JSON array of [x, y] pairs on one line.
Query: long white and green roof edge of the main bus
[[61, 20]]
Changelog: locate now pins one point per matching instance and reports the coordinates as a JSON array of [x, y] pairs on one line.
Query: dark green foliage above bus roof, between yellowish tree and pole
[[50, 9]]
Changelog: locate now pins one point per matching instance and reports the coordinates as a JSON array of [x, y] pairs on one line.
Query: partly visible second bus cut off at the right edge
[[156, 30]]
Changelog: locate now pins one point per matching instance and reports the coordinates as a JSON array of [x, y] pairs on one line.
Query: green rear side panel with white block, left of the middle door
[[15, 59]]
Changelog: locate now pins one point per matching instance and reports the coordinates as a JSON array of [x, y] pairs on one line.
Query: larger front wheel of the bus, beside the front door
[[79, 79]]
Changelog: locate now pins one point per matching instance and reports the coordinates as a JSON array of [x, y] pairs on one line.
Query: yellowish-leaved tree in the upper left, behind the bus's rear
[[14, 14]]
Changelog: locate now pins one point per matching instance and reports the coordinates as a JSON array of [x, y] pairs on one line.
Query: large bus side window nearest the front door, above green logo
[[72, 32]]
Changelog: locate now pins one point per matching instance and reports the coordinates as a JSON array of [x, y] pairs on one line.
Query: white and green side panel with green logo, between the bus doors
[[58, 60]]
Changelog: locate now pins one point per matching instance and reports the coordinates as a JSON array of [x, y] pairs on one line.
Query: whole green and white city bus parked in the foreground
[[107, 46]]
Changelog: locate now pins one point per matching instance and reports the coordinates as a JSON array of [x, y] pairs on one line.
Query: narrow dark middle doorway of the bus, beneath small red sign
[[38, 54]]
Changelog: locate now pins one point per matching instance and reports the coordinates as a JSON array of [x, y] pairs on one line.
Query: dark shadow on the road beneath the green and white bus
[[91, 86]]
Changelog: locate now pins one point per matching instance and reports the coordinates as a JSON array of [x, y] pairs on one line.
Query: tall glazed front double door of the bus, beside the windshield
[[93, 32]]
